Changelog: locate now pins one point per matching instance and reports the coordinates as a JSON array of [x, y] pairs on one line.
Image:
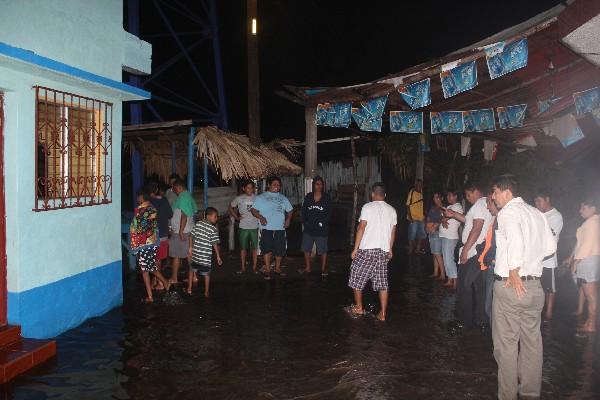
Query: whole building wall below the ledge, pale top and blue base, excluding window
[[64, 266]]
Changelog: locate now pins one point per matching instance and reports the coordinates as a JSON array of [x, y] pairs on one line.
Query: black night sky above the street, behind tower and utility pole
[[317, 42]]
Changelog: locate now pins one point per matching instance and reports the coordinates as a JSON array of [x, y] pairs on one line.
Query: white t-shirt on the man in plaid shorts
[[381, 219]]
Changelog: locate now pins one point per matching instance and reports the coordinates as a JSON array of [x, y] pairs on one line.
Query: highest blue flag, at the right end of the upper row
[[503, 58]]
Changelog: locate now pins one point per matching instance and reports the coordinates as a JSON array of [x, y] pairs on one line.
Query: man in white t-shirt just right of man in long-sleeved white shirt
[[542, 203]]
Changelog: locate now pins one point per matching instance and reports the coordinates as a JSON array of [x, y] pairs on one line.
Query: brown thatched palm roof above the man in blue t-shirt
[[233, 156]]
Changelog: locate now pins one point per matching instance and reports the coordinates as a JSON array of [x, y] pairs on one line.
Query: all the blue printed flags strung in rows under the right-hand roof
[[457, 77]]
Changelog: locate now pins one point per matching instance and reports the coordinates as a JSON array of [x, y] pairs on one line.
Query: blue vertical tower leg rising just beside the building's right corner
[[135, 109]]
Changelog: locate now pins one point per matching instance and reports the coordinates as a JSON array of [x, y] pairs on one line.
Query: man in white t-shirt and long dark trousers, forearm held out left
[[477, 221]]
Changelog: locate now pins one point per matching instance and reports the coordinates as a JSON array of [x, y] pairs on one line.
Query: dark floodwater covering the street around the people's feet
[[289, 338]]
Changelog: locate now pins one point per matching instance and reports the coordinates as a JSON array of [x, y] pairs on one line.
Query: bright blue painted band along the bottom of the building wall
[[49, 310]]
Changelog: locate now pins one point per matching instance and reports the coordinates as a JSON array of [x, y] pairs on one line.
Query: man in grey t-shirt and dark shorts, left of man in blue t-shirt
[[240, 209]]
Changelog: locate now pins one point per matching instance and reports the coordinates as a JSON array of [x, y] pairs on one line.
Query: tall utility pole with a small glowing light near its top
[[253, 73]]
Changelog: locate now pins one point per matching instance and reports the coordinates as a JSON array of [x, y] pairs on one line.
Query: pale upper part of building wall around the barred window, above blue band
[[44, 247]]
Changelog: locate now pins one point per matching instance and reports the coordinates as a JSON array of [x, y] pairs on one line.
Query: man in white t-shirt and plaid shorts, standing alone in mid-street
[[373, 250]]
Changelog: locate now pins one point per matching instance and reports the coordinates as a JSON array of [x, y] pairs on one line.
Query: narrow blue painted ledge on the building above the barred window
[[53, 65]]
